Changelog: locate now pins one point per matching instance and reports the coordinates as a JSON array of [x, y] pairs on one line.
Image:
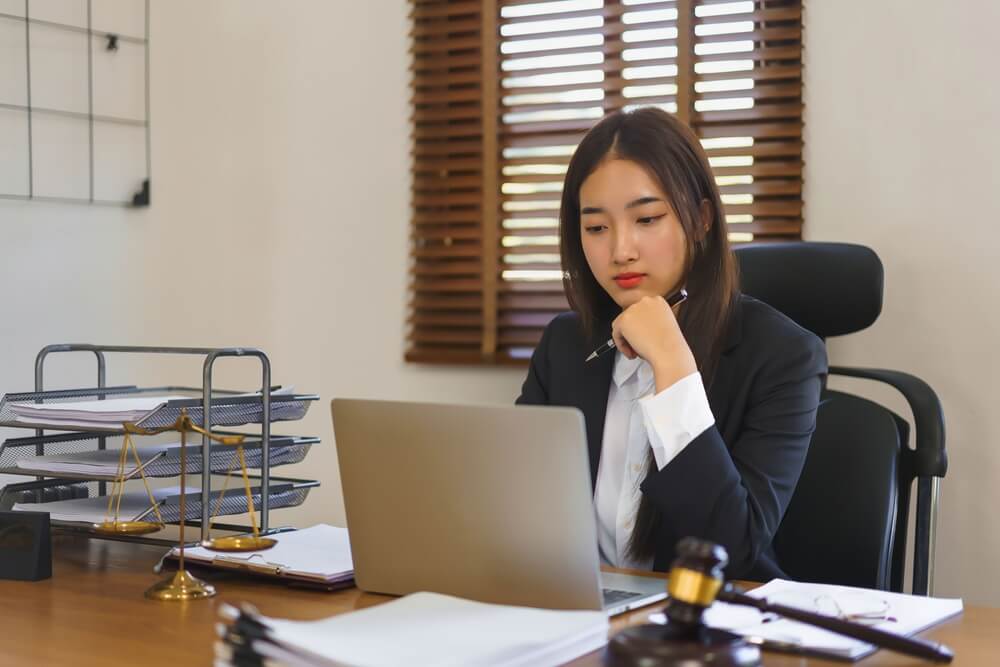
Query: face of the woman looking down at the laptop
[[634, 243]]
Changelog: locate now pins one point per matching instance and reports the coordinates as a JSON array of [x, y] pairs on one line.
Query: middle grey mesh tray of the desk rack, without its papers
[[284, 450]]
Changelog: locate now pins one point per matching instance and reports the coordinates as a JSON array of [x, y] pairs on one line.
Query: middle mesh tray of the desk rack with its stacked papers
[[76, 456]]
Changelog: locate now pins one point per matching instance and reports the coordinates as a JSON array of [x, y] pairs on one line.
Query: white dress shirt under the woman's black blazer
[[638, 419]]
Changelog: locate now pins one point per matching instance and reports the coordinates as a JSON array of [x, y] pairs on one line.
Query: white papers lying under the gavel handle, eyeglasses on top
[[892, 612]]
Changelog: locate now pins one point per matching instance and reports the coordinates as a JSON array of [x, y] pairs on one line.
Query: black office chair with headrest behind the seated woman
[[847, 522]]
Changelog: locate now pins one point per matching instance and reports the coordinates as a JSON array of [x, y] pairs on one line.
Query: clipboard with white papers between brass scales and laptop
[[320, 554]]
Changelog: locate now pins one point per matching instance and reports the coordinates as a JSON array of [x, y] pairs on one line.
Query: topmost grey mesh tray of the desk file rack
[[228, 408]]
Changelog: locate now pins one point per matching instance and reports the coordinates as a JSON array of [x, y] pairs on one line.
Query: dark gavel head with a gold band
[[695, 580]]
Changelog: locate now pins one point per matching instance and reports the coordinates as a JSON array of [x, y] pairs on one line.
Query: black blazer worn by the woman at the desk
[[733, 482]]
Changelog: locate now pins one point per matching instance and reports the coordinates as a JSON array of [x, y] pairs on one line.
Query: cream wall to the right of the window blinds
[[901, 155]]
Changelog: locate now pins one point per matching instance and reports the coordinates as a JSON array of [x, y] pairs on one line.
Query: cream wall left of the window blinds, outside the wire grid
[[279, 220]]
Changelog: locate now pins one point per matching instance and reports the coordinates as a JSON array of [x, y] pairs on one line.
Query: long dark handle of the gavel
[[908, 645]]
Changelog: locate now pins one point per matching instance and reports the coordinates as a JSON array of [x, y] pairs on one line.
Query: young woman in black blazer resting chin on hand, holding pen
[[698, 424]]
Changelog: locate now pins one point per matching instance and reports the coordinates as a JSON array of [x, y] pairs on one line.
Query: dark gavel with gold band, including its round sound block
[[696, 581]]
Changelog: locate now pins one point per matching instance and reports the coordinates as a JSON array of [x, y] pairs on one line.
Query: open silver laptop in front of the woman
[[489, 503]]
